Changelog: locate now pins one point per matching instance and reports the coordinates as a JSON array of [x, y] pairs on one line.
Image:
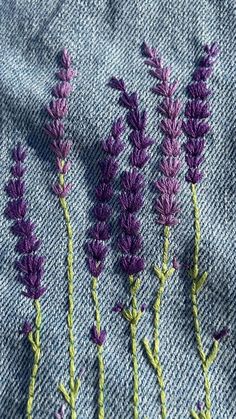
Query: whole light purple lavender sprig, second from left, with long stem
[[57, 110]]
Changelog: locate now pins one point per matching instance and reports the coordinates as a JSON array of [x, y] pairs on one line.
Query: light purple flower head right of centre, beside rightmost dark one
[[171, 126]]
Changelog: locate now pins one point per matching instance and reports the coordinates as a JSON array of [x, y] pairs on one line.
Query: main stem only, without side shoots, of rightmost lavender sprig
[[197, 329]]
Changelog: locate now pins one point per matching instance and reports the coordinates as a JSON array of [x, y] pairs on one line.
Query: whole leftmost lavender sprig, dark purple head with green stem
[[29, 265]]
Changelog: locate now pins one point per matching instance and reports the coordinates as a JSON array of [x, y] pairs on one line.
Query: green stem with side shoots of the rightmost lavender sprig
[[197, 284]]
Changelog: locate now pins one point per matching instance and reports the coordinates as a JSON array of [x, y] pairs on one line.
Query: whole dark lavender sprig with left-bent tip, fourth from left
[[131, 201]]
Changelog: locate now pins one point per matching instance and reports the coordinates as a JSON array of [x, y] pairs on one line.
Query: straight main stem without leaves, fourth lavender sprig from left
[[133, 332]]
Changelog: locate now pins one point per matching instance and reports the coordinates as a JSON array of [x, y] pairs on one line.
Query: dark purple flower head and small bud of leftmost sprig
[[30, 266]]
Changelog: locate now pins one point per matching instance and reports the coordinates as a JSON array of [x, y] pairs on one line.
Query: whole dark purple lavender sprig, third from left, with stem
[[97, 249]]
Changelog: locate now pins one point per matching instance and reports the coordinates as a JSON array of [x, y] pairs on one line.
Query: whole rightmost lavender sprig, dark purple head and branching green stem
[[195, 128]]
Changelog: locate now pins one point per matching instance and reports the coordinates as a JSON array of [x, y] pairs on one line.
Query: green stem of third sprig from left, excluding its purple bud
[[101, 411]]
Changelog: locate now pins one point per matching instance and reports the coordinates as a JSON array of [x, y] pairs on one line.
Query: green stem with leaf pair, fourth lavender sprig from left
[[133, 316]]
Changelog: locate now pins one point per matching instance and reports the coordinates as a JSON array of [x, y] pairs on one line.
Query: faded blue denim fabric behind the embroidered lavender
[[104, 38]]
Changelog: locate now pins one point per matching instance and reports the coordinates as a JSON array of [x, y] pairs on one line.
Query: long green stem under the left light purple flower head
[[74, 384]]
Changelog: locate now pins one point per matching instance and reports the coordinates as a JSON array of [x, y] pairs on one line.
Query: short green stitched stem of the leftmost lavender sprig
[[34, 338]]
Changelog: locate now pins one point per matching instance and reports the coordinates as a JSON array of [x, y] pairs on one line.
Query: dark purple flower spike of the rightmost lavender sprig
[[196, 112]]
